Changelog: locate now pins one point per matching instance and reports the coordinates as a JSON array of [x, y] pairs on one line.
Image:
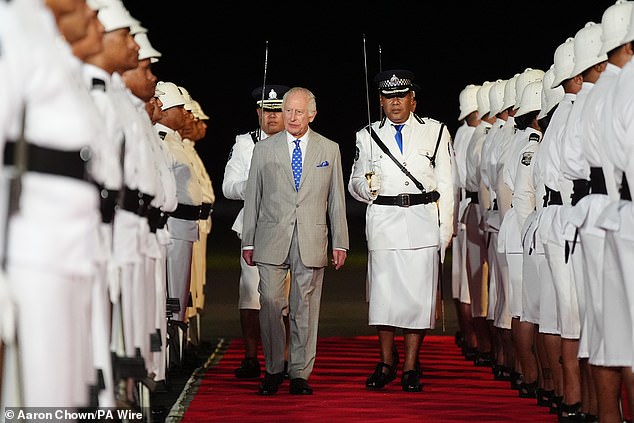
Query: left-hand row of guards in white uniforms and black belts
[[106, 208]]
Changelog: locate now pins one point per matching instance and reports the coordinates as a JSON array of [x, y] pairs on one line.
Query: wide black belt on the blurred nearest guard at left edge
[[69, 163]]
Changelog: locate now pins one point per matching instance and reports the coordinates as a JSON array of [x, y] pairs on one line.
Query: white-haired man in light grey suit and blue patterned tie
[[295, 183]]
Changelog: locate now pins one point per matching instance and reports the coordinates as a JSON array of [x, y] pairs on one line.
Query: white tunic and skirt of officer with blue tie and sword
[[404, 241]]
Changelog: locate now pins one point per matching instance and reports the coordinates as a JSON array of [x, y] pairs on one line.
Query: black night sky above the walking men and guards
[[218, 53]]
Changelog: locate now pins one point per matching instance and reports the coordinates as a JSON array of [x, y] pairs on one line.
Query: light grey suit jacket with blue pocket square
[[272, 207]]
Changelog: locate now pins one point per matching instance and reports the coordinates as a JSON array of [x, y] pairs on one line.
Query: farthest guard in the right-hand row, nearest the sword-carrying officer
[[460, 284]]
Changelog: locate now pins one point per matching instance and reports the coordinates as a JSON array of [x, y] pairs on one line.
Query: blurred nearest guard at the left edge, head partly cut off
[[50, 263]]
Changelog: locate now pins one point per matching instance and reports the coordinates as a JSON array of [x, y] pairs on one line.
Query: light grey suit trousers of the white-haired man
[[304, 301]]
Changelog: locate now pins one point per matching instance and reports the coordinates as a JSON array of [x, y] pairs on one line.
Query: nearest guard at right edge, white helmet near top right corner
[[597, 114]]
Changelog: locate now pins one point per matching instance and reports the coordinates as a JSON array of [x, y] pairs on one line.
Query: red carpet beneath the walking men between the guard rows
[[454, 390]]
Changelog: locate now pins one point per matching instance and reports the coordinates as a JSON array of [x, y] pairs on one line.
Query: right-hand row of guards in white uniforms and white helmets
[[543, 240]]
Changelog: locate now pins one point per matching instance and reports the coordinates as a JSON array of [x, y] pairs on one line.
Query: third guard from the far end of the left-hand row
[[182, 223]]
